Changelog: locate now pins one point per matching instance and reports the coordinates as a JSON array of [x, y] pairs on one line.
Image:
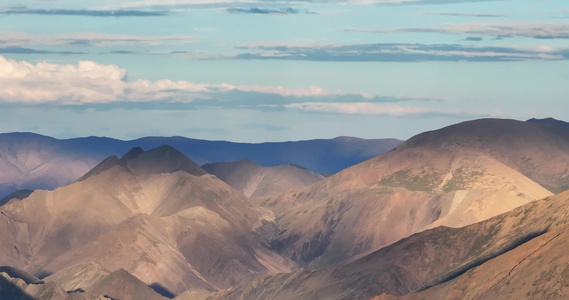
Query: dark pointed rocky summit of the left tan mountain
[[164, 159]]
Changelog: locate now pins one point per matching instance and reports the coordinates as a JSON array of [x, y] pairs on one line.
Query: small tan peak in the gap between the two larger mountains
[[255, 180]]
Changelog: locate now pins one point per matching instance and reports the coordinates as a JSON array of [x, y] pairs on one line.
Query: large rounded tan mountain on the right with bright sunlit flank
[[454, 176]]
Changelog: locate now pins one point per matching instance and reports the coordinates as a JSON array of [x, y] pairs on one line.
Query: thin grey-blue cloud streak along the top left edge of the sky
[[23, 10]]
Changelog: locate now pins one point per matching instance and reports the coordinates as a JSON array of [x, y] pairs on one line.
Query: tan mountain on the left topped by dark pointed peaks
[[167, 227]]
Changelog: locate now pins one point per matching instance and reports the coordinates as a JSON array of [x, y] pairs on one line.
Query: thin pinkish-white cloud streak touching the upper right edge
[[499, 29]]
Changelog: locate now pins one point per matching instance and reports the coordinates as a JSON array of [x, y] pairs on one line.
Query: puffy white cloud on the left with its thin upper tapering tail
[[90, 82]]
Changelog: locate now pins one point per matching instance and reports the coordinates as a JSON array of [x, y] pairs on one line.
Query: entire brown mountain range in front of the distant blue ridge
[[475, 210]]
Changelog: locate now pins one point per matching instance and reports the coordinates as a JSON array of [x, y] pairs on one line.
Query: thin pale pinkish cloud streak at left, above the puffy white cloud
[[22, 39]]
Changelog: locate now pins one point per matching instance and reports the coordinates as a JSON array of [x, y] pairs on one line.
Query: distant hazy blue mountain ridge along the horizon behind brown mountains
[[31, 161]]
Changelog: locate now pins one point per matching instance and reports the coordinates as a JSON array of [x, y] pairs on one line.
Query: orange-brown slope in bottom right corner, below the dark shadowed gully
[[537, 269]]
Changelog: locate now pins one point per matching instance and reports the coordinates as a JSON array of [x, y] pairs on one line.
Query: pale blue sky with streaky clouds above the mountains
[[278, 70]]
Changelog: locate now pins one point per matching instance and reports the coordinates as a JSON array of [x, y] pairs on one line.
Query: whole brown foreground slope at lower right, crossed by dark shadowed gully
[[530, 238]]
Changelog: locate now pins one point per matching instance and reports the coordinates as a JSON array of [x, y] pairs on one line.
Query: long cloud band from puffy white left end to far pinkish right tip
[[97, 86]]
